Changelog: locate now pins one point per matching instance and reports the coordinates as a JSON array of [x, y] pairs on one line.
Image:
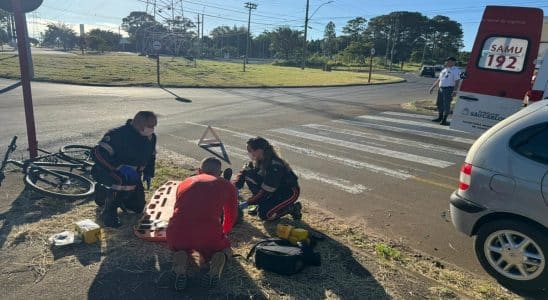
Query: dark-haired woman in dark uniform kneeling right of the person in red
[[271, 180]]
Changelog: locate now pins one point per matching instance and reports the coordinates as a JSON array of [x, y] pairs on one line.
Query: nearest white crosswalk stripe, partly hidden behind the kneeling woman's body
[[341, 184]]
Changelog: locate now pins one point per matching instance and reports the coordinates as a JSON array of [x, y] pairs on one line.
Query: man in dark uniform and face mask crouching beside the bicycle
[[123, 158]]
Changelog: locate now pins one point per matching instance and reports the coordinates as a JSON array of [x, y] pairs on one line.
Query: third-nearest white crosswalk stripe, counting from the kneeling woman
[[366, 148]]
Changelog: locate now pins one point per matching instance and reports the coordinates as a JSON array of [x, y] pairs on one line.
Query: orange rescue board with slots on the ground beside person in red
[[153, 225]]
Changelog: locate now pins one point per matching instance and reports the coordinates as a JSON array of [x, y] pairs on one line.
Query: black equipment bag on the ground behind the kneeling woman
[[280, 256]]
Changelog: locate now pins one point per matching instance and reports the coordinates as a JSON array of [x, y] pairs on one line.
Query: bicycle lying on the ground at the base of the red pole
[[42, 174]]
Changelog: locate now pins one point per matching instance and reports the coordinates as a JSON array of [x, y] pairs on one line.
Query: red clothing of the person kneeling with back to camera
[[202, 202]]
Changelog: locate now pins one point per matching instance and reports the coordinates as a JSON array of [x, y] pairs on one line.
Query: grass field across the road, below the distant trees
[[124, 70]]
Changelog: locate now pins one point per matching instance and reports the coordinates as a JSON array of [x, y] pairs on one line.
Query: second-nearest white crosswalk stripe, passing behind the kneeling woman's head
[[400, 174]]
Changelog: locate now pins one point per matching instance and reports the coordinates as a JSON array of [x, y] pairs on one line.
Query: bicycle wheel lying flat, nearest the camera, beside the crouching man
[[67, 186]]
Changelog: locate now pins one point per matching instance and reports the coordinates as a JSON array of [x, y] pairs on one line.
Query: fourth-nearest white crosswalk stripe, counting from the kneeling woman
[[394, 140]]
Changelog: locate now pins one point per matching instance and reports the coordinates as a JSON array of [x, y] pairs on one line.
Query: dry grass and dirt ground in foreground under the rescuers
[[356, 264]]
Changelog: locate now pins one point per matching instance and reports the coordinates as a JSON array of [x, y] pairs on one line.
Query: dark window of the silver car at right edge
[[532, 142]]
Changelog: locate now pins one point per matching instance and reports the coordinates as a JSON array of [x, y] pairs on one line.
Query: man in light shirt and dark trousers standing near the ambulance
[[448, 83]]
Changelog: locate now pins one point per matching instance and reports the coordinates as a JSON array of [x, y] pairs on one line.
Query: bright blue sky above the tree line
[[269, 14]]
